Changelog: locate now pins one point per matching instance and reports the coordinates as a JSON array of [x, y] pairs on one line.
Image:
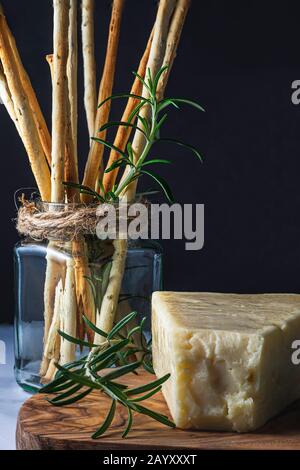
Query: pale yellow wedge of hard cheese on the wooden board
[[229, 357]]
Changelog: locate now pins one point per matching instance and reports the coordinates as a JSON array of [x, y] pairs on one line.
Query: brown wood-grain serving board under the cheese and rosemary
[[42, 426]]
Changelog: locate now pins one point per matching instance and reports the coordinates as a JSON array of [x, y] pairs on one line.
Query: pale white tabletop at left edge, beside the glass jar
[[11, 395]]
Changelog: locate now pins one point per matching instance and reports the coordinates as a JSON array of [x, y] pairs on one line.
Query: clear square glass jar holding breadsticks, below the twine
[[142, 276]]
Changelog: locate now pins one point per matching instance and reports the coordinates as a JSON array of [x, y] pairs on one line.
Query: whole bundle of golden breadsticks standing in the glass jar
[[54, 158]]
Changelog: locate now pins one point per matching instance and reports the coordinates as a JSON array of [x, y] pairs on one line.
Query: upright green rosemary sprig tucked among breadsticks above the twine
[[151, 130]]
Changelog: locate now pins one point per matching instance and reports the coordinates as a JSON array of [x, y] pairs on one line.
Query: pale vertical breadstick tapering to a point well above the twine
[[89, 63]]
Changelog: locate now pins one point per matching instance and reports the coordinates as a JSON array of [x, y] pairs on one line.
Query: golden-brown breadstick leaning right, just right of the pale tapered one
[[94, 161]]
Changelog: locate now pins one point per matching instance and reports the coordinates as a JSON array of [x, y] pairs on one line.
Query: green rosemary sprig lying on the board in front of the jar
[[76, 380]]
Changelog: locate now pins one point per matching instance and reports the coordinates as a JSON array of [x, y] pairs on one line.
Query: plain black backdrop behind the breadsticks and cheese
[[236, 58]]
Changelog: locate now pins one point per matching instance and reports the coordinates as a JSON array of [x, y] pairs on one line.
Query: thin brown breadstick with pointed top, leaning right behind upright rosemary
[[124, 132]]
